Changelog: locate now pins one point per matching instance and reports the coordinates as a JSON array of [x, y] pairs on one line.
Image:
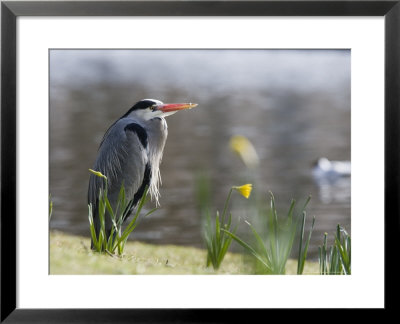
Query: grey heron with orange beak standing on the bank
[[130, 153]]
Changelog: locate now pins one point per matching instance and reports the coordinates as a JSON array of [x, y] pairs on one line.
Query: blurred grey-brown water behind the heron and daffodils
[[293, 105]]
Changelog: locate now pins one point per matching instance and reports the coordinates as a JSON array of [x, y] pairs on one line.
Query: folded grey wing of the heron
[[123, 159]]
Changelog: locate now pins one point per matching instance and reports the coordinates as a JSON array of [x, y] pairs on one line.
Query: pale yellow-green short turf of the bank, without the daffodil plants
[[72, 255]]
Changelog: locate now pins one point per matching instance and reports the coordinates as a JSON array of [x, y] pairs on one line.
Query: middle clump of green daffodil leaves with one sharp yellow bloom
[[272, 247]]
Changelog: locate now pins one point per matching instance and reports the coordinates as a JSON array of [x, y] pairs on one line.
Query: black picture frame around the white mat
[[10, 10]]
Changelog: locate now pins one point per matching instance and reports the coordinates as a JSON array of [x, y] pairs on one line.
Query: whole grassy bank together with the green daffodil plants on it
[[73, 255]]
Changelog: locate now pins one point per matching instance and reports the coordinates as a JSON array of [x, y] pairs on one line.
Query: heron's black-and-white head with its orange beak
[[151, 108]]
